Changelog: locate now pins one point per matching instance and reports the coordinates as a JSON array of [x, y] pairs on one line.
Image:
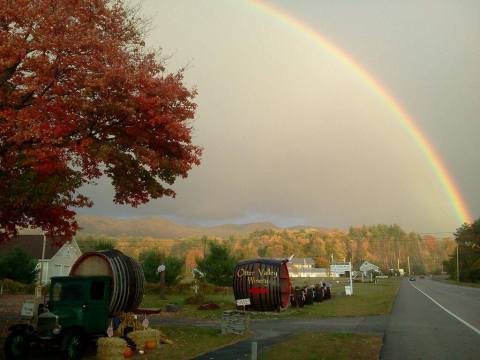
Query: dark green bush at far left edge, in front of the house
[[19, 266]]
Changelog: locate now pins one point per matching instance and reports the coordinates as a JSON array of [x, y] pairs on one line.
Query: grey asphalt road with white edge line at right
[[419, 328]]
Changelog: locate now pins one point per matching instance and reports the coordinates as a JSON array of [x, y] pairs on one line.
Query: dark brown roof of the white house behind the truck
[[32, 245]]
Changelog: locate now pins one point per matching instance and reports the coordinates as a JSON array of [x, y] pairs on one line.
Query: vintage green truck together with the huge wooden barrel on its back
[[80, 307]]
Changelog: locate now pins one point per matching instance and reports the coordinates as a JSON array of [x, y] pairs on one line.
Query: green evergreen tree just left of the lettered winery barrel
[[218, 265]]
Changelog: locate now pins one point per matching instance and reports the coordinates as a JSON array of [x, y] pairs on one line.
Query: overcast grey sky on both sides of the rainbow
[[293, 136]]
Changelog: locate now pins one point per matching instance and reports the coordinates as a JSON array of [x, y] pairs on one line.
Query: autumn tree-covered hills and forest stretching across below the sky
[[385, 245]]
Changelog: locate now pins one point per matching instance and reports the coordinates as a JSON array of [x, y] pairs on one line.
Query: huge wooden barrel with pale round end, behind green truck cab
[[127, 285]]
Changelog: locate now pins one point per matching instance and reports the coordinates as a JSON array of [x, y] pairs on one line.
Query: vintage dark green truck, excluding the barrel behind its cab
[[78, 310]]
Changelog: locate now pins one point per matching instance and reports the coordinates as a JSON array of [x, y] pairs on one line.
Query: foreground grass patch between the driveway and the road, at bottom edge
[[323, 346]]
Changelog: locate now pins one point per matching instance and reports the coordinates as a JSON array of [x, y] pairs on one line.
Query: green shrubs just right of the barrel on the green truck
[[152, 258]]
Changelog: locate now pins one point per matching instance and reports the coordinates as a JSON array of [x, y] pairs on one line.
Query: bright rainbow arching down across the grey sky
[[446, 180]]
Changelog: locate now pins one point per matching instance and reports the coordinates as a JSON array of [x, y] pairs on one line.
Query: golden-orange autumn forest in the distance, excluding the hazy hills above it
[[383, 245]]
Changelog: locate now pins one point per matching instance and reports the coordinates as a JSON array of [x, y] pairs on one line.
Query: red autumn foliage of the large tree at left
[[81, 96]]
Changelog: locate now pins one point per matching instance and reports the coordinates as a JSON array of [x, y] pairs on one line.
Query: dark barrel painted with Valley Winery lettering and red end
[[265, 282]]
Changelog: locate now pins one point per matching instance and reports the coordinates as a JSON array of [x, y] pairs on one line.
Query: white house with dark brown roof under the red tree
[[58, 259]]
